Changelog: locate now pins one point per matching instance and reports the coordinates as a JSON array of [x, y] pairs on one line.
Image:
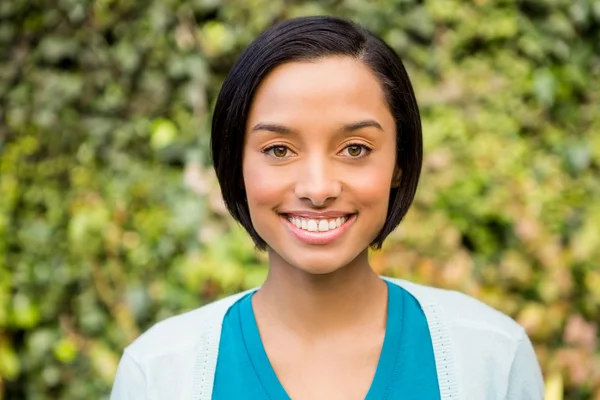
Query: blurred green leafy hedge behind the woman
[[111, 218]]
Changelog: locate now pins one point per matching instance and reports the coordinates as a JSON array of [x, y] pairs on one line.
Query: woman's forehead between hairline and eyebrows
[[329, 86]]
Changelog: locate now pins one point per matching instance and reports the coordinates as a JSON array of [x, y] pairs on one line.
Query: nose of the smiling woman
[[317, 183]]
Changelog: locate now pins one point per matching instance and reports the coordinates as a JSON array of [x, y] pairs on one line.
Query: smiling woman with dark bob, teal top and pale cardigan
[[316, 141]]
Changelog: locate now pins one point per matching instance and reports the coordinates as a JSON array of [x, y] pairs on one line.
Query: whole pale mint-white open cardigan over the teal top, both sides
[[479, 352]]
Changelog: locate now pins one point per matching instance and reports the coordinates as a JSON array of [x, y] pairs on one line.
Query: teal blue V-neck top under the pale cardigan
[[406, 367]]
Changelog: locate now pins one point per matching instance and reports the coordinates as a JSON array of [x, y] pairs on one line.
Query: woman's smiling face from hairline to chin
[[319, 158]]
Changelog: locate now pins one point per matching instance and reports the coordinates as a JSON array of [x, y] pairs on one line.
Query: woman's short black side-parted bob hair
[[305, 39]]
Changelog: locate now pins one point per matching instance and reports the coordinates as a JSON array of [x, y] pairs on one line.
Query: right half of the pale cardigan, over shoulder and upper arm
[[488, 353]]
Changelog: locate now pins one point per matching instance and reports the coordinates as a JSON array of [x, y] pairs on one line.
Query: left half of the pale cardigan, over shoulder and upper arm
[[163, 361]]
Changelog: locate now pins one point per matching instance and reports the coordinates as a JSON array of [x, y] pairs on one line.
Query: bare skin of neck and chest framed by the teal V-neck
[[324, 338]]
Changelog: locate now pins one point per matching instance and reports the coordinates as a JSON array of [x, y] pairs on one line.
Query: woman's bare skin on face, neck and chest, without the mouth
[[322, 311]]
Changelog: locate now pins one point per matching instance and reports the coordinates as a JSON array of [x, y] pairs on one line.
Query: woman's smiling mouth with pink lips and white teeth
[[318, 230]]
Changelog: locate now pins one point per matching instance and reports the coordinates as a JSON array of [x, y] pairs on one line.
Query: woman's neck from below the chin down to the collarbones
[[315, 305]]
